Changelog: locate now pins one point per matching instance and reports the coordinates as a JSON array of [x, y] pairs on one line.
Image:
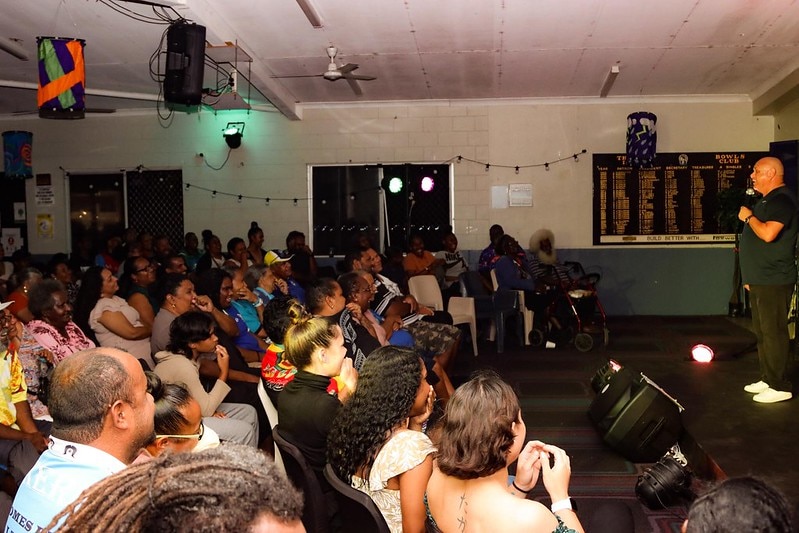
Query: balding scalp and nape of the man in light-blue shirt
[[84, 386]]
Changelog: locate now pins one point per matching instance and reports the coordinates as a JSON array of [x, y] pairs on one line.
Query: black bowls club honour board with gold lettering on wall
[[675, 201]]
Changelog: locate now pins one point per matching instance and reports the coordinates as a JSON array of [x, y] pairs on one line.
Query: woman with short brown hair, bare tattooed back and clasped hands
[[482, 433]]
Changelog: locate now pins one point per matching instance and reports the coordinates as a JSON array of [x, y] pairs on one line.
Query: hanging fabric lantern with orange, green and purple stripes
[[62, 78]]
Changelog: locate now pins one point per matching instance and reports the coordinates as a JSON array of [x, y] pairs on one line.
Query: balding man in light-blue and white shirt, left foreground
[[102, 416]]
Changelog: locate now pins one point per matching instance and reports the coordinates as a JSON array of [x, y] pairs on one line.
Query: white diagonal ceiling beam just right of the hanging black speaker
[[214, 20]]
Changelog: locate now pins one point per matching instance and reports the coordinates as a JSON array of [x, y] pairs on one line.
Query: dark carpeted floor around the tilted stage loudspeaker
[[555, 394]]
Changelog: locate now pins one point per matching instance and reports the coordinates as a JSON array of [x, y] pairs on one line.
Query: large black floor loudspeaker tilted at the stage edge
[[634, 416]]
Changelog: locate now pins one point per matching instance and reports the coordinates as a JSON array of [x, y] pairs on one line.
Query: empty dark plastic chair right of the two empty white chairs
[[497, 306]]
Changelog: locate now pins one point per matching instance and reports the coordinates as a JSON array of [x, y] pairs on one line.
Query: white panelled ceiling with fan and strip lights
[[434, 49]]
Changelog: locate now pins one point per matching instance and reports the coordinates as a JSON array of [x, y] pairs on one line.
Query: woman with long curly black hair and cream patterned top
[[377, 444]]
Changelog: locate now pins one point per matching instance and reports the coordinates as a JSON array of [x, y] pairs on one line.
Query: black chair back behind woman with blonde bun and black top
[[314, 514]]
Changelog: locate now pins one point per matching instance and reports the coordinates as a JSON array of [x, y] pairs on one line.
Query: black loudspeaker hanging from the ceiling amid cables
[[185, 63]]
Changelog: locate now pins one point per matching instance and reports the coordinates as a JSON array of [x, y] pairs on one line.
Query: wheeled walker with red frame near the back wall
[[569, 310]]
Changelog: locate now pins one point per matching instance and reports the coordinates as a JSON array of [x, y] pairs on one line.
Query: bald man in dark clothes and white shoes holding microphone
[[768, 269]]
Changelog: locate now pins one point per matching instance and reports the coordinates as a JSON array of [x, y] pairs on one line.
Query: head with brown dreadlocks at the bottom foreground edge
[[226, 489]]
